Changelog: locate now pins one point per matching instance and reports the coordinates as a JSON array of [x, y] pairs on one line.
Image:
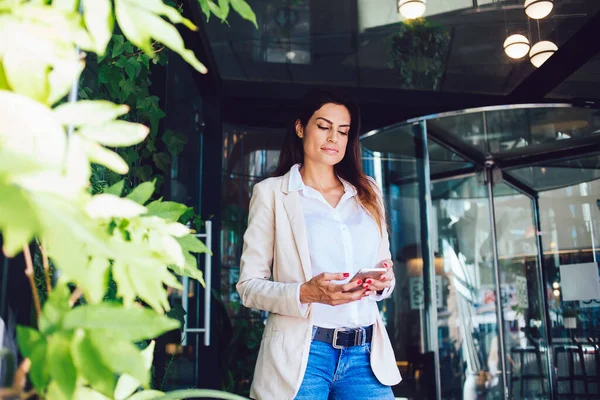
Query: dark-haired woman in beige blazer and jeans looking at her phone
[[310, 229]]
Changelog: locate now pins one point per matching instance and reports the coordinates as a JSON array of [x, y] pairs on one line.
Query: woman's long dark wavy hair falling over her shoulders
[[350, 168]]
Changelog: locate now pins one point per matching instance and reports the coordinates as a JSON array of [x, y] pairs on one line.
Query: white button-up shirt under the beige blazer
[[340, 239]]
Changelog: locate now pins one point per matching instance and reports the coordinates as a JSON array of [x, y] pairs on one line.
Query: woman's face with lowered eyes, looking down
[[325, 136]]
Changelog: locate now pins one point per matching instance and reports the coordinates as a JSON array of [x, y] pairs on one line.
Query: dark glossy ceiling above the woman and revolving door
[[449, 61]]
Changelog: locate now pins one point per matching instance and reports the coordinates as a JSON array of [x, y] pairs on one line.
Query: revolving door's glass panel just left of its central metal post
[[467, 307]]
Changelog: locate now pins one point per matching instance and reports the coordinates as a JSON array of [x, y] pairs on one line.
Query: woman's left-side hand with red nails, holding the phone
[[320, 289]]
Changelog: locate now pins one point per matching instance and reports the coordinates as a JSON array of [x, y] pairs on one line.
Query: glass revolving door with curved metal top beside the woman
[[493, 222]]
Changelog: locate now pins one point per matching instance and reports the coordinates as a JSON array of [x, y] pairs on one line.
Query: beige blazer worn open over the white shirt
[[275, 245]]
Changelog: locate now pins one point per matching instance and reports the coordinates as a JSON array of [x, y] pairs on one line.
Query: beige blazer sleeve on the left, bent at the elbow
[[254, 286]]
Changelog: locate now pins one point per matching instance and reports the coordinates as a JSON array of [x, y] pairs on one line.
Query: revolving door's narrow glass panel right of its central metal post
[[527, 362]]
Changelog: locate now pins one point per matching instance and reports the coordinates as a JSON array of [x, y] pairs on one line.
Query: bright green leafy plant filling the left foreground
[[84, 345]]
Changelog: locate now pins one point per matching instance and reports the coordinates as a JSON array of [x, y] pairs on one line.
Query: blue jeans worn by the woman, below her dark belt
[[333, 374]]
